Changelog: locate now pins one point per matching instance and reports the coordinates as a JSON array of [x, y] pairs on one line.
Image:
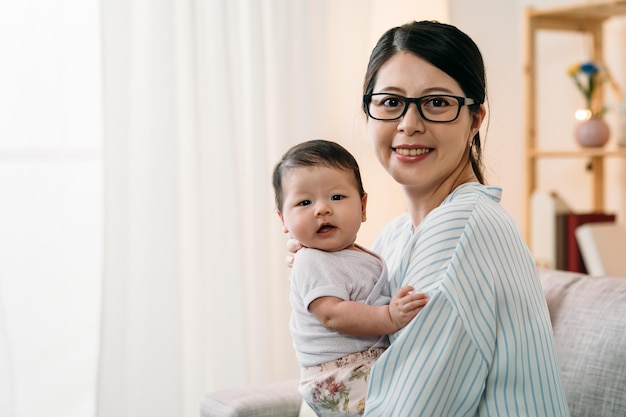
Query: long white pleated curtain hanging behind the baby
[[200, 100]]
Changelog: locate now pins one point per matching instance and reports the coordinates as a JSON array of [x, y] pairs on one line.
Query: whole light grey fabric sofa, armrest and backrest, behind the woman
[[589, 320]]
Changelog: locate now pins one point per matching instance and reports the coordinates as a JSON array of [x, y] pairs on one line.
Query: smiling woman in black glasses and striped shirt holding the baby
[[483, 345]]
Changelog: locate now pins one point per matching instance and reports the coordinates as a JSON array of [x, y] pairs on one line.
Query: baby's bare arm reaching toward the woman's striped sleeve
[[357, 319]]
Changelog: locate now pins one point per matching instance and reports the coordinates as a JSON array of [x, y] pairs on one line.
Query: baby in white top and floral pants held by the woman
[[342, 310]]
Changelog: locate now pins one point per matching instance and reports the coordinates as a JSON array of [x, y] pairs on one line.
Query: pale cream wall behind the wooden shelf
[[498, 29]]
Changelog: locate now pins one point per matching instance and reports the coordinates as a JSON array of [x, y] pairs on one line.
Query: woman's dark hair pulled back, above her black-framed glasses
[[448, 49]]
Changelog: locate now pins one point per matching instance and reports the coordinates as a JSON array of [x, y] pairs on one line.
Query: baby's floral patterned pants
[[338, 388]]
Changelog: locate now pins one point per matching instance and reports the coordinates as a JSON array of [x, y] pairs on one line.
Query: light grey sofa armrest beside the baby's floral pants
[[279, 399]]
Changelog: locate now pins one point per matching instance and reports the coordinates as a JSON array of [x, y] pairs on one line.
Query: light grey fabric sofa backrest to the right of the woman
[[589, 320]]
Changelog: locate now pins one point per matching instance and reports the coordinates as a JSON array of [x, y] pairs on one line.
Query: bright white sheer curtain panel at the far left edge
[[50, 207]]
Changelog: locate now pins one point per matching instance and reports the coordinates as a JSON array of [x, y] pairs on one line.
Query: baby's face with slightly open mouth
[[322, 207]]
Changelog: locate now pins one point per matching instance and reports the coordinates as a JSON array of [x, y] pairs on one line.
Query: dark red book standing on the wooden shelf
[[568, 249]]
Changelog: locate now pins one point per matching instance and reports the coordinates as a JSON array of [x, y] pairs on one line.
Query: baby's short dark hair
[[312, 153]]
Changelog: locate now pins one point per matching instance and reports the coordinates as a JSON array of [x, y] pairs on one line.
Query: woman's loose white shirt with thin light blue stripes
[[483, 345]]
